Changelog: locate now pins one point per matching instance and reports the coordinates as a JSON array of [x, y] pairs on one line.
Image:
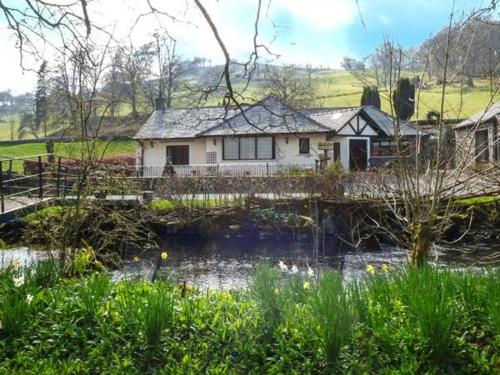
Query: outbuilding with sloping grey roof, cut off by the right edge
[[477, 138]]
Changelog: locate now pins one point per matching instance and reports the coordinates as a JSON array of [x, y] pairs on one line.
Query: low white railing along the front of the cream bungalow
[[225, 169]]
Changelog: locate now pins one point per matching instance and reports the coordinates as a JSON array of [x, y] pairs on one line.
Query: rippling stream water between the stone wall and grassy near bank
[[228, 263]]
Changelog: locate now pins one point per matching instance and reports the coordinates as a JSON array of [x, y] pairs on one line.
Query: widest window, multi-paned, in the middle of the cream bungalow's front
[[248, 148]]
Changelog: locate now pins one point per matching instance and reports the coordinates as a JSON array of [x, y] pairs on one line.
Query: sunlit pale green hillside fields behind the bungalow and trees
[[332, 88]]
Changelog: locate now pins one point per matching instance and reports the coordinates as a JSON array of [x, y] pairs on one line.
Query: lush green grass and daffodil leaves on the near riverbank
[[406, 321]]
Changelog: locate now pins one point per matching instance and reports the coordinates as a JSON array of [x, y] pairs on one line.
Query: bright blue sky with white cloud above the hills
[[316, 32]]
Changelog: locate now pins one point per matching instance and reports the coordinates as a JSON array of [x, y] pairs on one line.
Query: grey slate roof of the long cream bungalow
[[269, 116]]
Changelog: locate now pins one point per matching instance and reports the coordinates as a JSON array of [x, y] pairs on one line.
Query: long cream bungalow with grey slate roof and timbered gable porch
[[265, 137]]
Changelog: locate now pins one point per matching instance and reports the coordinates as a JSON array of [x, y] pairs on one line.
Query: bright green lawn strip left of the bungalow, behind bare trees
[[66, 149]]
